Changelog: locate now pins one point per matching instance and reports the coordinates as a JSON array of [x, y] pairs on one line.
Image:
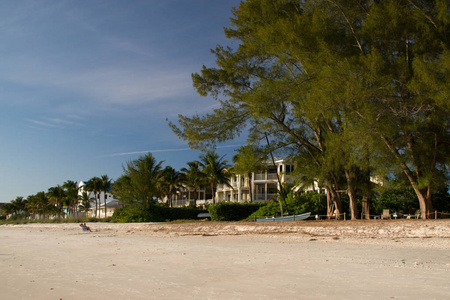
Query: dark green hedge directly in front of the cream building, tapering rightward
[[231, 211]]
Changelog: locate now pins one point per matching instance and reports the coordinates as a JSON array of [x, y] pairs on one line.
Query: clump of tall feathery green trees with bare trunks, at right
[[347, 87]]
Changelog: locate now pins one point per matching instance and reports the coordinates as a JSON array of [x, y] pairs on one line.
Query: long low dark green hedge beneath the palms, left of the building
[[155, 213]]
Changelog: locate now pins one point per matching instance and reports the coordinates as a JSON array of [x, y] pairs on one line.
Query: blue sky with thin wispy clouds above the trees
[[86, 86]]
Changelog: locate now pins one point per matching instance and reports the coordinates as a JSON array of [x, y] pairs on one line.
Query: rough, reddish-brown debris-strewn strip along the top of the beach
[[359, 229]]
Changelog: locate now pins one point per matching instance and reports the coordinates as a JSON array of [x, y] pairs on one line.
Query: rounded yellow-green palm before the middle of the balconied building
[[247, 160]]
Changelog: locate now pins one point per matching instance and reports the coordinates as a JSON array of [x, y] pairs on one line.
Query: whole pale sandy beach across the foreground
[[396, 259]]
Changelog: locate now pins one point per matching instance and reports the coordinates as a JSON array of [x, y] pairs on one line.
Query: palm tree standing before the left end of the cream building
[[216, 170]]
